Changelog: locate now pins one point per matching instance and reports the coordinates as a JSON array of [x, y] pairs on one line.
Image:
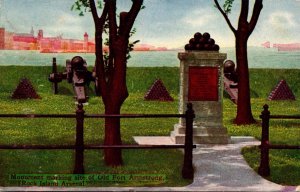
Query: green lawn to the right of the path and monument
[[284, 164]]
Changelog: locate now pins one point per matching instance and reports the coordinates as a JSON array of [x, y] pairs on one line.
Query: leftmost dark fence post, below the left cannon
[[79, 145]]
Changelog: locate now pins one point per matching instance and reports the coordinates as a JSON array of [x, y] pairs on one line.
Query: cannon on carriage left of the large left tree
[[76, 73]]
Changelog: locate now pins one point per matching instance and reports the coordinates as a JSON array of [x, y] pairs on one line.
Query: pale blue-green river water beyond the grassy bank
[[258, 58]]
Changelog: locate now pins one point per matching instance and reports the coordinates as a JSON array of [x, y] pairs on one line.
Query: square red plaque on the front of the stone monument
[[203, 84]]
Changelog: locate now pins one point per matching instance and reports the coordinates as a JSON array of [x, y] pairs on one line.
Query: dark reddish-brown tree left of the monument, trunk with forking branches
[[111, 76]]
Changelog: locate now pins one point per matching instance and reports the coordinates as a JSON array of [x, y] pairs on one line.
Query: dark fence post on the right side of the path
[[264, 167]]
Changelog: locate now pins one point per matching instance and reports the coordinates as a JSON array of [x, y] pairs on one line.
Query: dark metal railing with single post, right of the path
[[264, 167]]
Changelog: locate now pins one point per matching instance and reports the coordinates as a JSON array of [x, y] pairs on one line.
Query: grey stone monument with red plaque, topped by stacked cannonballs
[[201, 83]]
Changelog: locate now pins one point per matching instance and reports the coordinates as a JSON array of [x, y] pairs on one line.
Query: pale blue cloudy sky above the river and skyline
[[164, 23]]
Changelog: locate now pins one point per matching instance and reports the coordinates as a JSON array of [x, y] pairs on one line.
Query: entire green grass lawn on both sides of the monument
[[285, 164]]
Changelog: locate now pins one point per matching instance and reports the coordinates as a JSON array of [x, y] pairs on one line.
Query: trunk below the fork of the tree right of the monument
[[244, 114]]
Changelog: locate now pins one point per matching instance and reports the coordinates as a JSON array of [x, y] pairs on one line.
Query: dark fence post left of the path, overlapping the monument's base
[[187, 169]]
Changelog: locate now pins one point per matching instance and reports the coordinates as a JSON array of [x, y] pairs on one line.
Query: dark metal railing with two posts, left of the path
[[187, 168]]
